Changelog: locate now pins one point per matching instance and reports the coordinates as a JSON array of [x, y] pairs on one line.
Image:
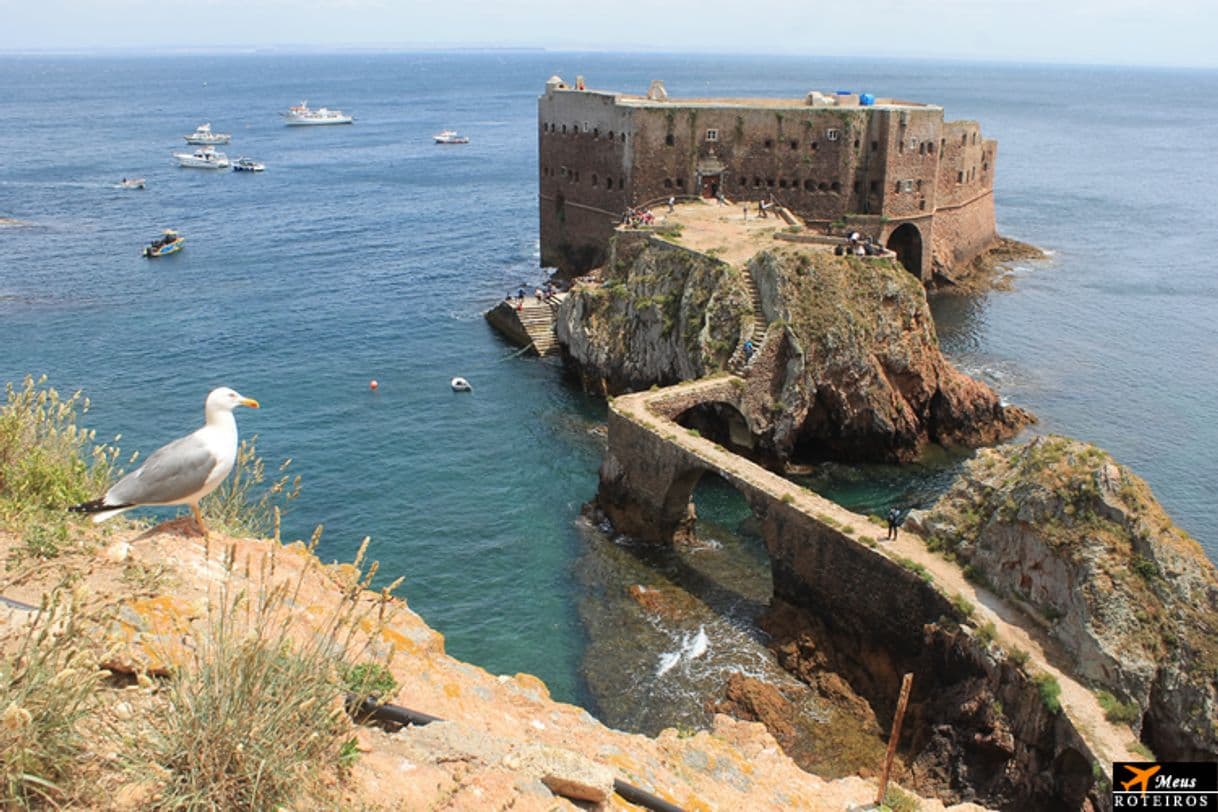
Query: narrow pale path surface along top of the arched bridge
[[1109, 742]]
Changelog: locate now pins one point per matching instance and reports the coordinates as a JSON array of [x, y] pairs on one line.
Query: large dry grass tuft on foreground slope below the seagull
[[256, 720]]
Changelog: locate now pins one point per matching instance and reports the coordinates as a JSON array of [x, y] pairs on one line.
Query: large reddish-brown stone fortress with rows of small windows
[[891, 170]]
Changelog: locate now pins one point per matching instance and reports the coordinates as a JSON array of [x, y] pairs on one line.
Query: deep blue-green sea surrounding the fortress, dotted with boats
[[368, 253]]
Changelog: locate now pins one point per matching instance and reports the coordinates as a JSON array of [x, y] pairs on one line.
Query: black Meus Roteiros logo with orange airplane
[[1165, 786]]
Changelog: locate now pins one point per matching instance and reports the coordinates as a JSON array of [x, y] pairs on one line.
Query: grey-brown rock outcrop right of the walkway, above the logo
[[1081, 540]]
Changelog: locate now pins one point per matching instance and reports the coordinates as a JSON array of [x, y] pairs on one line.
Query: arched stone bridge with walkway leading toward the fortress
[[890, 607]]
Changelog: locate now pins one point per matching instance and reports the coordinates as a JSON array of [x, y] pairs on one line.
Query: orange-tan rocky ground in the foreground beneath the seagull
[[506, 744]]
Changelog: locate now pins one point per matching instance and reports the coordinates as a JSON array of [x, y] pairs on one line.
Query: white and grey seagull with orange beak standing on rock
[[186, 471]]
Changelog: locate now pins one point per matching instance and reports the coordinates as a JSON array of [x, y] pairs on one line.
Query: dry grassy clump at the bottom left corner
[[46, 691]]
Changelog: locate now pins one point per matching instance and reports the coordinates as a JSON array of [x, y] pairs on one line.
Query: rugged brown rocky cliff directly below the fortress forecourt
[[851, 367]]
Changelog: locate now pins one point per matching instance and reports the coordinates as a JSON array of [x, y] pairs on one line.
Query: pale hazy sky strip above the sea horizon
[[1093, 32]]
